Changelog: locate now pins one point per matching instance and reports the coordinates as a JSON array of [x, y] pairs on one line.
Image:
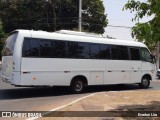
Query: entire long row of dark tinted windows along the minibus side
[[61, 49]]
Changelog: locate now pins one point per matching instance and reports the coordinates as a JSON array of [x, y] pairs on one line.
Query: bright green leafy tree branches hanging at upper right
[[148, 32]]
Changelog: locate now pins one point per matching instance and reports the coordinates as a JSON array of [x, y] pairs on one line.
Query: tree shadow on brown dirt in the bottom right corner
[[129, 111]]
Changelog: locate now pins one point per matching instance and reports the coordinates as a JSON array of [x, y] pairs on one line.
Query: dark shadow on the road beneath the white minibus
[[20, 93]]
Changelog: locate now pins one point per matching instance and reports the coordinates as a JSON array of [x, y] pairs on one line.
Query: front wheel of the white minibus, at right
[[145, 83]]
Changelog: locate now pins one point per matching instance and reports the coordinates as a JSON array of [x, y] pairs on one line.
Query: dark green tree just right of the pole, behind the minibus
[[94, 18]]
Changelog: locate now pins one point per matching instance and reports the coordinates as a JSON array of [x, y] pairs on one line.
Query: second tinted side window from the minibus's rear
[[45, 48]]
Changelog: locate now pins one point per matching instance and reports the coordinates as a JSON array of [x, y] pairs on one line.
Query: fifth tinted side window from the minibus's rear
[[83, 50]]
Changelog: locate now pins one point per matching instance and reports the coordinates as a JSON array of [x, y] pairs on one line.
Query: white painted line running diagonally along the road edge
[[58, 108]]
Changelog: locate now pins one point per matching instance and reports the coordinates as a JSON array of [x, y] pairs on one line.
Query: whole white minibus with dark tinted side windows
[[75, 59]]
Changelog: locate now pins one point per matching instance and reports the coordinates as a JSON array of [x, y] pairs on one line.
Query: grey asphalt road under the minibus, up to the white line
[[44, 99]]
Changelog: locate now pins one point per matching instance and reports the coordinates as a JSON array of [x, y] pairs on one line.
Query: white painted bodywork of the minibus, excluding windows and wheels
[[52, 71]]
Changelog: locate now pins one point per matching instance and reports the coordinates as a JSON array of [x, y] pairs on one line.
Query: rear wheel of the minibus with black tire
[[77, 85]]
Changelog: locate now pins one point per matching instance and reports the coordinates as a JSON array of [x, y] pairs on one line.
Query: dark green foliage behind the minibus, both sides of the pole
[[52, 15]]
